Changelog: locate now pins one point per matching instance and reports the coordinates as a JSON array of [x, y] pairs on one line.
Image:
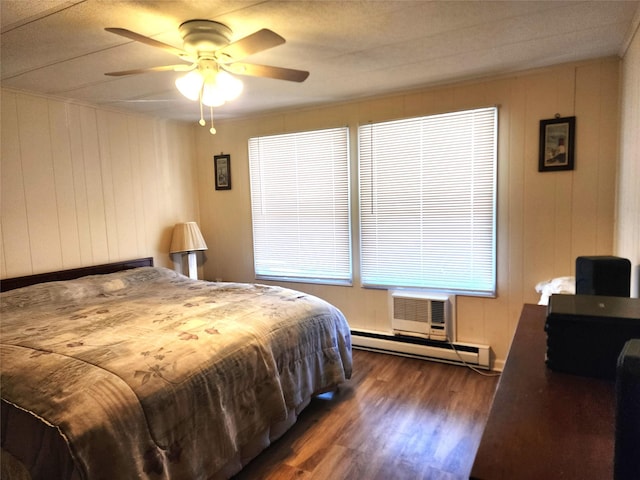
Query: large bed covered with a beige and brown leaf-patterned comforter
[[145, 373]]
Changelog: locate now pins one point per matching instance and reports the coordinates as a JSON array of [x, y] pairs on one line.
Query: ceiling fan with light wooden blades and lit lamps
[[210, 58]]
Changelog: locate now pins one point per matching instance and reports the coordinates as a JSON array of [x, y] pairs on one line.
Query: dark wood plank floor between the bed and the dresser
[[397, 418]]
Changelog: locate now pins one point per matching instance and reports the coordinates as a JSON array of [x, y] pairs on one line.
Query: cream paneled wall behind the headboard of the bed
[[84, 186]]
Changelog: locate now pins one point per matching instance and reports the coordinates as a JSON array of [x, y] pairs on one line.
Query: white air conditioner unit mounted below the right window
[[423, 314]]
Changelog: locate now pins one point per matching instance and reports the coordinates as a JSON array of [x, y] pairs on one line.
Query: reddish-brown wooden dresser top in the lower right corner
[[544, 424]]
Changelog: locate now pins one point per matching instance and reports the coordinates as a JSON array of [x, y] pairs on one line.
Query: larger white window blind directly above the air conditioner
[[428, 202]]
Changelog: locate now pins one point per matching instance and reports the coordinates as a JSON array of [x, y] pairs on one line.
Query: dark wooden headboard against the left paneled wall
[[17, 282]]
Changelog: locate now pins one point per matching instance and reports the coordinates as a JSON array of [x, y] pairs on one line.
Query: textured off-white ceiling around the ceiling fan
[[353, 49]]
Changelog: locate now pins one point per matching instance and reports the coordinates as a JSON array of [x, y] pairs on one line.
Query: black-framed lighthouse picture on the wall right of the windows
[[557, 137]]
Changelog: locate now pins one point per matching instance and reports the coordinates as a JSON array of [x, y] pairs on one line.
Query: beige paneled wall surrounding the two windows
[[545, 220]]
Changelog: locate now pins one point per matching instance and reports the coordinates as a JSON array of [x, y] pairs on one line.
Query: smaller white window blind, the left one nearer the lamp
[[300, 206]]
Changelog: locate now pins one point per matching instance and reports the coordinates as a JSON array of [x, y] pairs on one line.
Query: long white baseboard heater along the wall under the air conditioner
[[423, 348]]
